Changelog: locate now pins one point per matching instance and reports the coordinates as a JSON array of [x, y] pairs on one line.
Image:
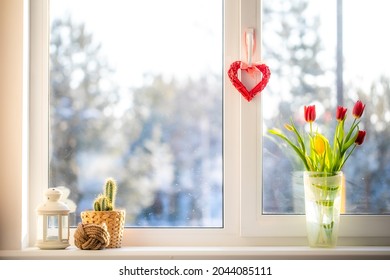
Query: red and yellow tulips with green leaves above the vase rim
[[315, 150]]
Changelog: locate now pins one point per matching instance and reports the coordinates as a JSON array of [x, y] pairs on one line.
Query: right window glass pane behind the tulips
[[303, 49]]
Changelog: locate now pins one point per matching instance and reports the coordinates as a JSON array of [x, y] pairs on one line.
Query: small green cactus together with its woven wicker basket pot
[[104, 211]]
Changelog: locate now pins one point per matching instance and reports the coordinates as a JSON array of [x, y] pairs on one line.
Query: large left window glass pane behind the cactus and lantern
[[136, 94]]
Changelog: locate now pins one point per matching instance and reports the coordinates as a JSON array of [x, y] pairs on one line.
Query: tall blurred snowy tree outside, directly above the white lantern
[[78, 101]]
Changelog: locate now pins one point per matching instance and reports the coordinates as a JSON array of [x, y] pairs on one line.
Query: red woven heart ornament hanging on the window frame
[[232, 73]]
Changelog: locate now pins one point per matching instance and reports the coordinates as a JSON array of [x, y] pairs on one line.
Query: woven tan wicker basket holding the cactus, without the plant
[[115, 221]]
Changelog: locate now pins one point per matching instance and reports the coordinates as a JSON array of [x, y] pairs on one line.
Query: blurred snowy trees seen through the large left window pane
[[162, 141]]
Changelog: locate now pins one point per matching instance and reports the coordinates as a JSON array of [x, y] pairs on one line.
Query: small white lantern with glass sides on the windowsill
[[53, 222]]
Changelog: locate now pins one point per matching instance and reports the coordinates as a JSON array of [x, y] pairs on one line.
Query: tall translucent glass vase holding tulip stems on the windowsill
[[322, 207]]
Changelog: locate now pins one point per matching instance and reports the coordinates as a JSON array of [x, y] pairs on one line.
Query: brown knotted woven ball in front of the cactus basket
[[91, 236]]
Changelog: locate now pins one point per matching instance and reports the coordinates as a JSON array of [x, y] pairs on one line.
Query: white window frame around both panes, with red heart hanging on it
[[243, 222]]
